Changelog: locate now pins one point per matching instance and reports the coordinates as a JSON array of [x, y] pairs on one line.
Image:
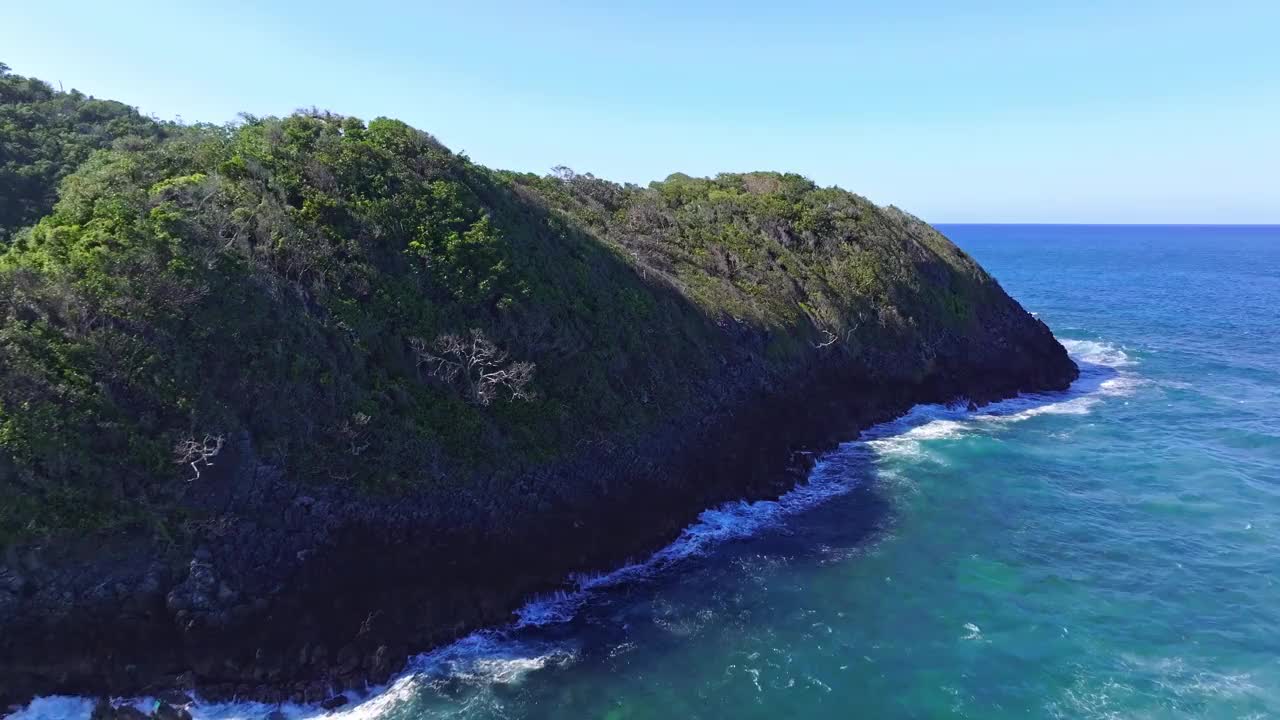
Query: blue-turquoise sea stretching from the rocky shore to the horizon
[[1108, 553]]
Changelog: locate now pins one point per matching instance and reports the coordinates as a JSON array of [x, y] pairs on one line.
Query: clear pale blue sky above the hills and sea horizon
[[1127, 111]]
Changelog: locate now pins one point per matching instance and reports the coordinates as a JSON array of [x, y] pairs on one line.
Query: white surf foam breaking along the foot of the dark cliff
[[490, 658]]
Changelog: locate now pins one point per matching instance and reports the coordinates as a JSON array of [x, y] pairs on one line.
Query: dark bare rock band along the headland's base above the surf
[[300, 594]]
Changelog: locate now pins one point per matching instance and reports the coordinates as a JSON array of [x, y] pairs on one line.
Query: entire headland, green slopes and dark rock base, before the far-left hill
[[244, 459]]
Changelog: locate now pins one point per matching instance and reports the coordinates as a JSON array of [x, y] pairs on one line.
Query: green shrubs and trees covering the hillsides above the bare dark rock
[[304, 281]]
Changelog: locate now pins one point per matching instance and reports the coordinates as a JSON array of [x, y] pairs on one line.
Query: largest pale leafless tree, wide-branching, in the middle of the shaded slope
[[482, 368]]
